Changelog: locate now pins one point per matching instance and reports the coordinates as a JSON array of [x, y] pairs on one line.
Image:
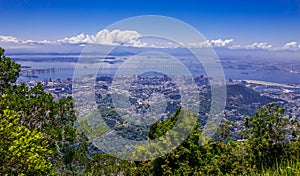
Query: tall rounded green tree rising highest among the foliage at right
[[266, 133]]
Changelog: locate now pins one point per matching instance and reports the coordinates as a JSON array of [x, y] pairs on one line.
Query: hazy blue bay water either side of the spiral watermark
[[64, 67]]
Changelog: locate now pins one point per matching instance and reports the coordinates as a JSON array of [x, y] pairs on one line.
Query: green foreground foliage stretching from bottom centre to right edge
[[223, 156]]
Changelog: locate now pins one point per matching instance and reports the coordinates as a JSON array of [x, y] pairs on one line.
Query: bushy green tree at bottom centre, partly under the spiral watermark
[[184, 160]]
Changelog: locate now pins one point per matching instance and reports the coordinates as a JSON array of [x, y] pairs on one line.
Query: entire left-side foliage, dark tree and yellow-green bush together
[[42, 120]]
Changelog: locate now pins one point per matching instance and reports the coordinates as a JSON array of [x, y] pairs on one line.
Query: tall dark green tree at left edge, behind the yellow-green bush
[[39, 113]]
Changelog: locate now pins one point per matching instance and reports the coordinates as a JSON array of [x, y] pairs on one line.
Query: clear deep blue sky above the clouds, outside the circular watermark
[[275, 22]]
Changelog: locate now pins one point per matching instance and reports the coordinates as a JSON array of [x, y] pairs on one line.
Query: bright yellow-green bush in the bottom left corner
[[22, 151]]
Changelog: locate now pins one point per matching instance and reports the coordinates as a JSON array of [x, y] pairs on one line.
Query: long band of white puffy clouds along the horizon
[[134, 39]]
